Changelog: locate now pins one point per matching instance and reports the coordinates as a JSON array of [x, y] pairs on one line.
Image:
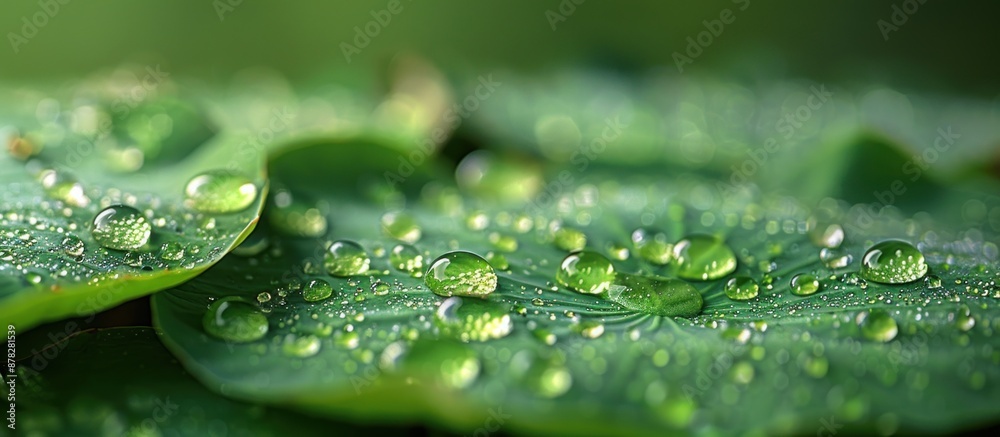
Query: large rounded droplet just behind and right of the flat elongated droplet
[[703, 257]]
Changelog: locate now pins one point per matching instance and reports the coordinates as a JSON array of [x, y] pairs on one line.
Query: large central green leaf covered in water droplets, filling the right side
[[383, 347]]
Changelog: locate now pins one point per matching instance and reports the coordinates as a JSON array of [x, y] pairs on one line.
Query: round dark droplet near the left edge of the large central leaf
[[236, 320]]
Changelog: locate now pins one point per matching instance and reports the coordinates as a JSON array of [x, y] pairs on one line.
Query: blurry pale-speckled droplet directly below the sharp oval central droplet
[[473, 319]]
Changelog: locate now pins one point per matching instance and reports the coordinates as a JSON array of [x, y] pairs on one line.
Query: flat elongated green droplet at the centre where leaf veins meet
[[665, 297]]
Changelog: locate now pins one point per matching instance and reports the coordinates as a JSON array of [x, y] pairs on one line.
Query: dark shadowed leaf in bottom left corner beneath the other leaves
[[122, 382]]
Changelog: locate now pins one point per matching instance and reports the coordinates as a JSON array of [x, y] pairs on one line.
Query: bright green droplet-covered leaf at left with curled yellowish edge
[[68, 164]]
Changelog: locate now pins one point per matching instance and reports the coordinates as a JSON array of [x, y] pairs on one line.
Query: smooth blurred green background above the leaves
[[943, 46]]
